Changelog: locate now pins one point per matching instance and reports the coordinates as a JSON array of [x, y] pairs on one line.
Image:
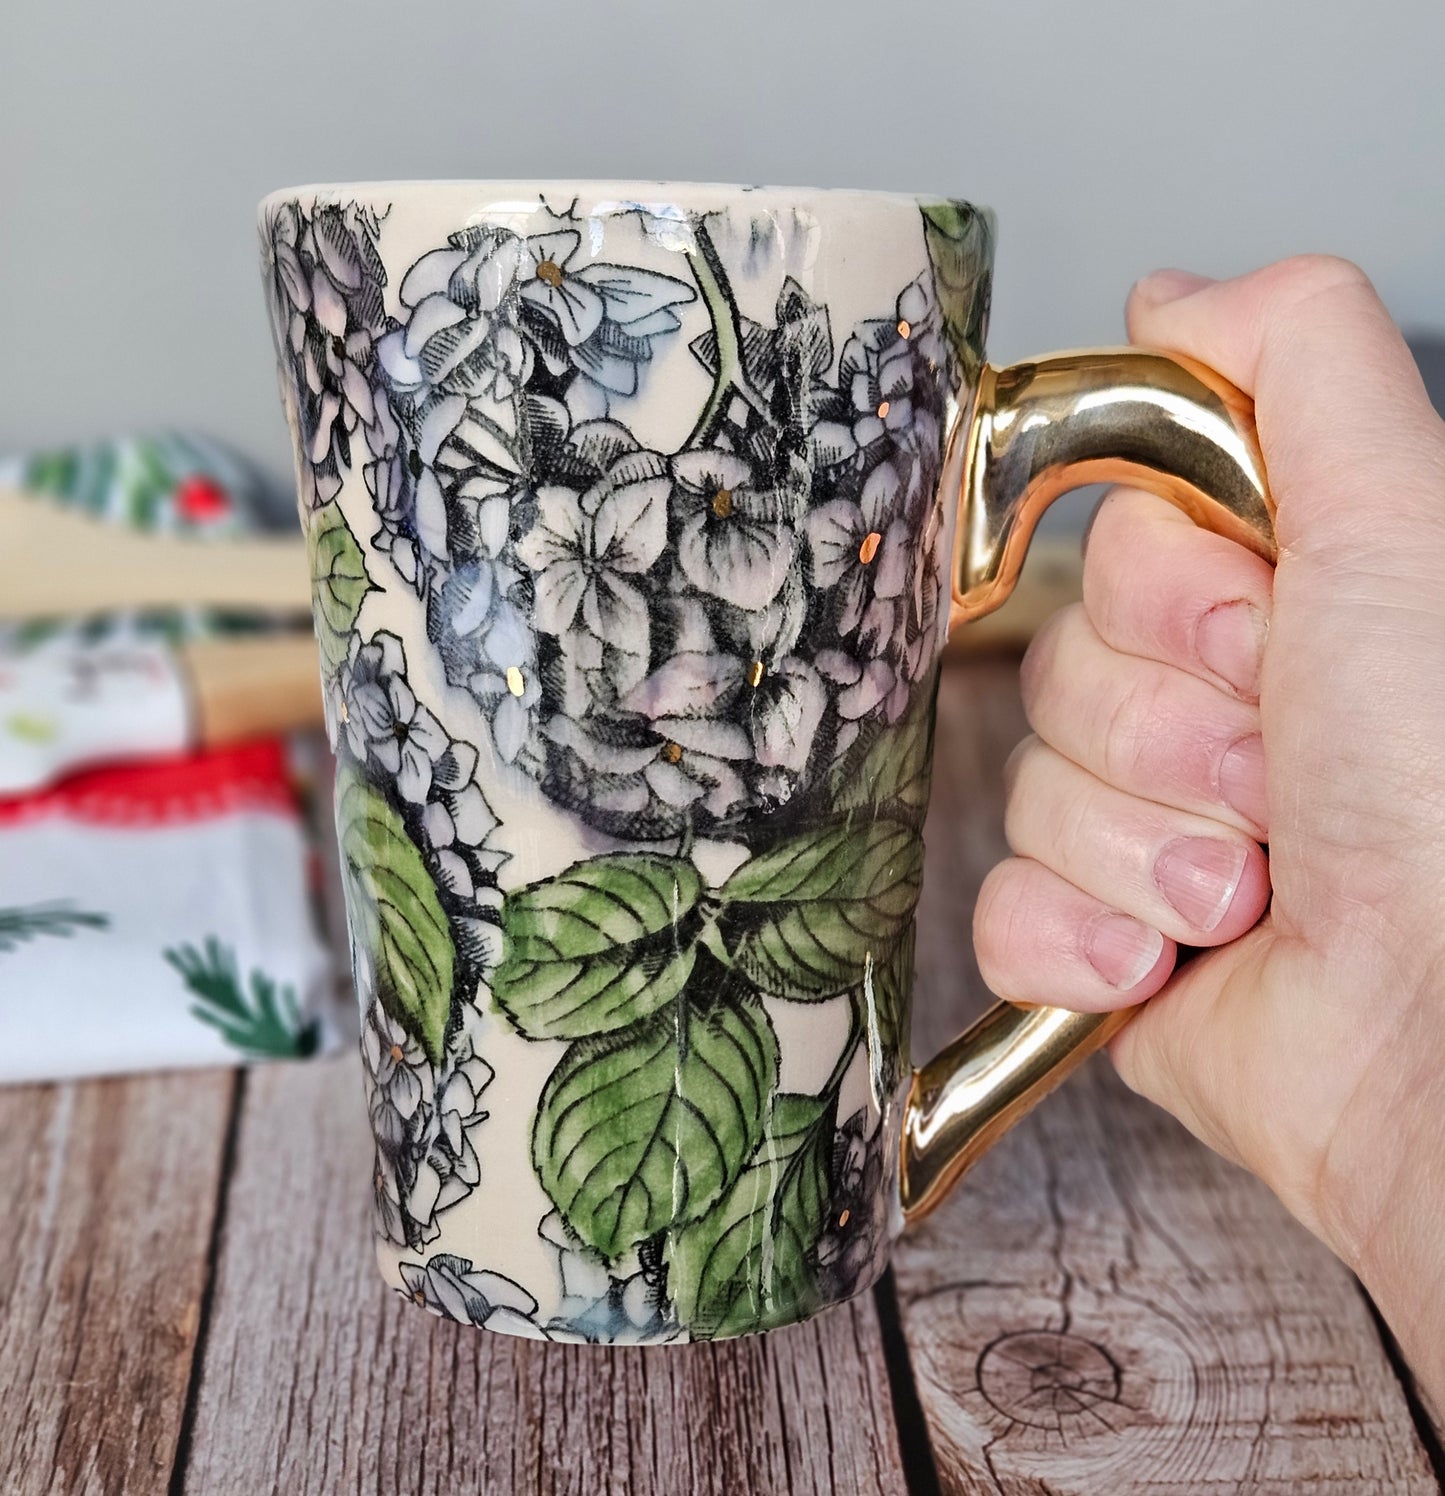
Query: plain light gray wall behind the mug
[[1112, 137]]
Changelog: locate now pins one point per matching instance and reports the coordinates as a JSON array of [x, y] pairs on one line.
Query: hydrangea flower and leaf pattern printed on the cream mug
[[731, 644]]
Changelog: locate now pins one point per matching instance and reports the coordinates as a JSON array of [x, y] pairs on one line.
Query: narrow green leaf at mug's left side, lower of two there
[[396, 915]]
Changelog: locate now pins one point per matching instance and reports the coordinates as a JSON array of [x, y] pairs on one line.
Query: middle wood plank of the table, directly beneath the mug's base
[[316, 1379]]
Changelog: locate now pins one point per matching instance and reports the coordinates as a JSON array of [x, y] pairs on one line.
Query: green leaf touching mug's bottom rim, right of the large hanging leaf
[[744, 1266]]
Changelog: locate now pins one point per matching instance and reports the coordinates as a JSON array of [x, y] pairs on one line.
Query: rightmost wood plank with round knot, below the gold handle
[[1105, 1305]]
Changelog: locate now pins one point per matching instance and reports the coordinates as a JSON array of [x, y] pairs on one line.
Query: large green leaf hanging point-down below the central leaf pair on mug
[[645, 1130]]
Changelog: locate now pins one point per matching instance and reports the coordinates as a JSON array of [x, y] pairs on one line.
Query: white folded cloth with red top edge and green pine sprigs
[[161, 916]]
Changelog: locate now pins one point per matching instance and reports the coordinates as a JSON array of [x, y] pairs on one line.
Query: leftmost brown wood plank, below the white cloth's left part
[[110, 1190]]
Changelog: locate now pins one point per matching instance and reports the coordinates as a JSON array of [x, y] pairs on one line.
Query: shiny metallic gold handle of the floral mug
[[1034, 432]]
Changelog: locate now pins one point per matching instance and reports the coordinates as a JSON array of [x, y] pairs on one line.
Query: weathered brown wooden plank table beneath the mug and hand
[[189, 1301]]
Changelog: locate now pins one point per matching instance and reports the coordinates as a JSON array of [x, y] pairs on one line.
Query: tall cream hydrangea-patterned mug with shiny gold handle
[[636, 532]]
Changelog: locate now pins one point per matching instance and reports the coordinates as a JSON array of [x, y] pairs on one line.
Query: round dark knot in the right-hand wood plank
[[1048, 1380]]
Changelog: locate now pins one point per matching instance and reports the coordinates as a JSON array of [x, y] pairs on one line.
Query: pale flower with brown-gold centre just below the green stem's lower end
[[735, 542]]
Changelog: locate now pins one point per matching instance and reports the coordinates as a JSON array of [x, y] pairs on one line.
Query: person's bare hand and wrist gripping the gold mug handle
[[1308, 1042]]
